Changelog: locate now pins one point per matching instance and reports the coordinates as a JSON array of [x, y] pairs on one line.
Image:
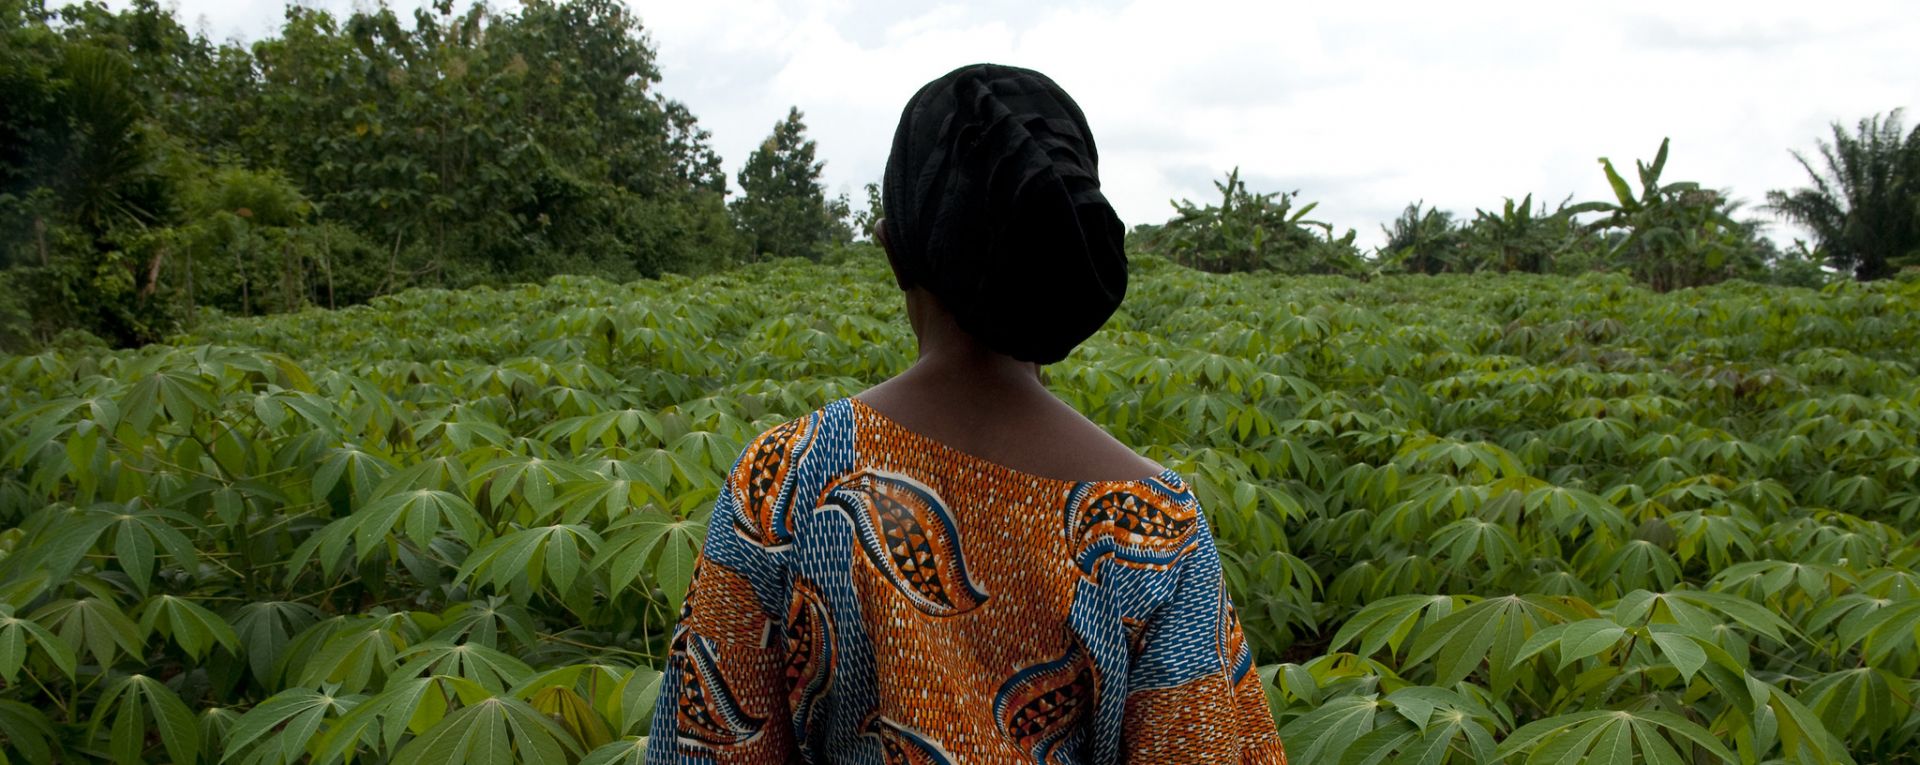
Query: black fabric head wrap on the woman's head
[[994, 205]]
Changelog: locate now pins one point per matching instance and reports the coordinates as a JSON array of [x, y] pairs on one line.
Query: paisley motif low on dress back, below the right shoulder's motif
[[1044, 704]]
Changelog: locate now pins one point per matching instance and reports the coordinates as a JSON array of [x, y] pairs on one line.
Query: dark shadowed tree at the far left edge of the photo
[[82, 189]]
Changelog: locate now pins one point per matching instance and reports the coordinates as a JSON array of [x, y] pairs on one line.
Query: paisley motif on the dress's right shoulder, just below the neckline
[[1128, 526]]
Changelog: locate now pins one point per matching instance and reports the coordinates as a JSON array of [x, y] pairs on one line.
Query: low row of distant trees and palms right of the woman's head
[[1861, 207]]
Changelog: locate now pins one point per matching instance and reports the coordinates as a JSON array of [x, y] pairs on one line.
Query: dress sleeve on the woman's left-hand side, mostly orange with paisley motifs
[[725, 695]]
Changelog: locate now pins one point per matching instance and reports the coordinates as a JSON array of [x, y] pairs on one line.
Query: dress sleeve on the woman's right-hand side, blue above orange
[[1193, 695]]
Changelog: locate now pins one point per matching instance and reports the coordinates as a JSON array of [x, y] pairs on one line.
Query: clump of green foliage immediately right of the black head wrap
[[1251, 232]]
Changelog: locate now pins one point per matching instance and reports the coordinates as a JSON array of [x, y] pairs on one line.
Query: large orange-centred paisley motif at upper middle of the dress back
[[911, 539]]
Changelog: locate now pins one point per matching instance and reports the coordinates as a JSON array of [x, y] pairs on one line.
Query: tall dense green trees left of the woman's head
[[147, 172]]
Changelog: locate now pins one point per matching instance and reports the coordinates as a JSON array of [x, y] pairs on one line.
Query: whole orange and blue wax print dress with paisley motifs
[[869, 595]]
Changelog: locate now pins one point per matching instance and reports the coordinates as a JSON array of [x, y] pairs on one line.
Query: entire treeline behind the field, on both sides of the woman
[[151, 178]]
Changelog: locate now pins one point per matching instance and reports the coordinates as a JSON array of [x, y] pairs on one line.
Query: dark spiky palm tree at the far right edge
[[1863, 205]]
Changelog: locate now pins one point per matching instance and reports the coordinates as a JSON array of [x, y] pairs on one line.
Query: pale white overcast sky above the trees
[[1362, 107]]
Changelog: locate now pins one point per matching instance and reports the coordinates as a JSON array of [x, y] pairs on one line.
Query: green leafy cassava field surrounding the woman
[[1468, 520]]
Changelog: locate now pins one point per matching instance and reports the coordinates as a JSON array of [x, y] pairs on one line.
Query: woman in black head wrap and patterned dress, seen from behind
[[955, 566]]
